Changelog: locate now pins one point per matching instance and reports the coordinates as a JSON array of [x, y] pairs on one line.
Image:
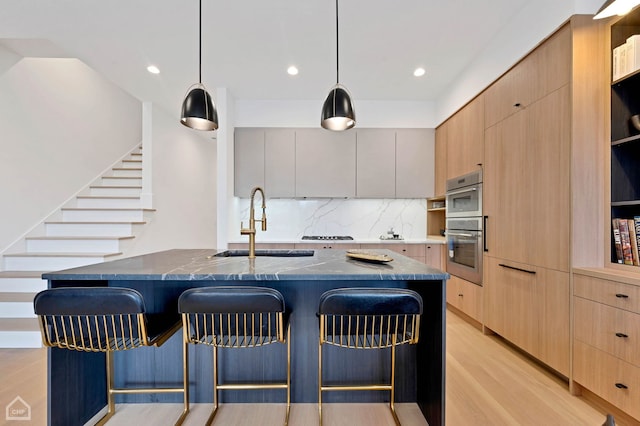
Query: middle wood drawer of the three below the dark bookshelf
[[612, 330]]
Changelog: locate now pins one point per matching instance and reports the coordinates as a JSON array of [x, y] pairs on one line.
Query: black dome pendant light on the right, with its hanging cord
[[337, 112]]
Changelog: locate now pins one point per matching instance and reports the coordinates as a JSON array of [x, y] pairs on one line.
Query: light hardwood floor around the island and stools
[[488, 383]]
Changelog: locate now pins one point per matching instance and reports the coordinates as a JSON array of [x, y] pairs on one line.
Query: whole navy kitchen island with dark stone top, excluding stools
[[76, 384]]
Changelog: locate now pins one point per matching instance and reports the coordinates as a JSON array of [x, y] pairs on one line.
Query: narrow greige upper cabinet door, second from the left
[[280, 163]]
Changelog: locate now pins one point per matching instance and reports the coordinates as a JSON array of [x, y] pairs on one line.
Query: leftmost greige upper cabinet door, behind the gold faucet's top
[[249, 160]]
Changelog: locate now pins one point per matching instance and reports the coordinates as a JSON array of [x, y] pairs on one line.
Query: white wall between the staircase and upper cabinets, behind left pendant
[[184, 188]]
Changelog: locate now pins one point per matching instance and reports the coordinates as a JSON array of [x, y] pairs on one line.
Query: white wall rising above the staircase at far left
[[62, 125]]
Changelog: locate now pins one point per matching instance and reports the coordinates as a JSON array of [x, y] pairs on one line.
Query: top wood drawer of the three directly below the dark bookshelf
[[612, 293]]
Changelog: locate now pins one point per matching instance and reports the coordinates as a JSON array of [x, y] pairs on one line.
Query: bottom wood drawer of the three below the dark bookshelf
[[607, 376]]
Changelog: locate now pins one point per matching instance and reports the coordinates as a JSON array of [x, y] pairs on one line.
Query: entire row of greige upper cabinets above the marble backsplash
[[309, 162]]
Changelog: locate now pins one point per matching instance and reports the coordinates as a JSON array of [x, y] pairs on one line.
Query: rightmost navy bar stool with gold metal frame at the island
[[367, 318]]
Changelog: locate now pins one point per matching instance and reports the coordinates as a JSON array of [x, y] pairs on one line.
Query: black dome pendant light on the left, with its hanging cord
[[198, 110]]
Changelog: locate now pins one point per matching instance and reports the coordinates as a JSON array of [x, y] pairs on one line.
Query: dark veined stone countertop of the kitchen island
[[199, 264]]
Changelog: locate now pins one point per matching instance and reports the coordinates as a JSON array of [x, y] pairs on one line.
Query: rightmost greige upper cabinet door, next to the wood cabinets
[[415, 163]]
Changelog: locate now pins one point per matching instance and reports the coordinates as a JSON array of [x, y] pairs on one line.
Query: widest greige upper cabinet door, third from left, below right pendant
[[325, 163]]
